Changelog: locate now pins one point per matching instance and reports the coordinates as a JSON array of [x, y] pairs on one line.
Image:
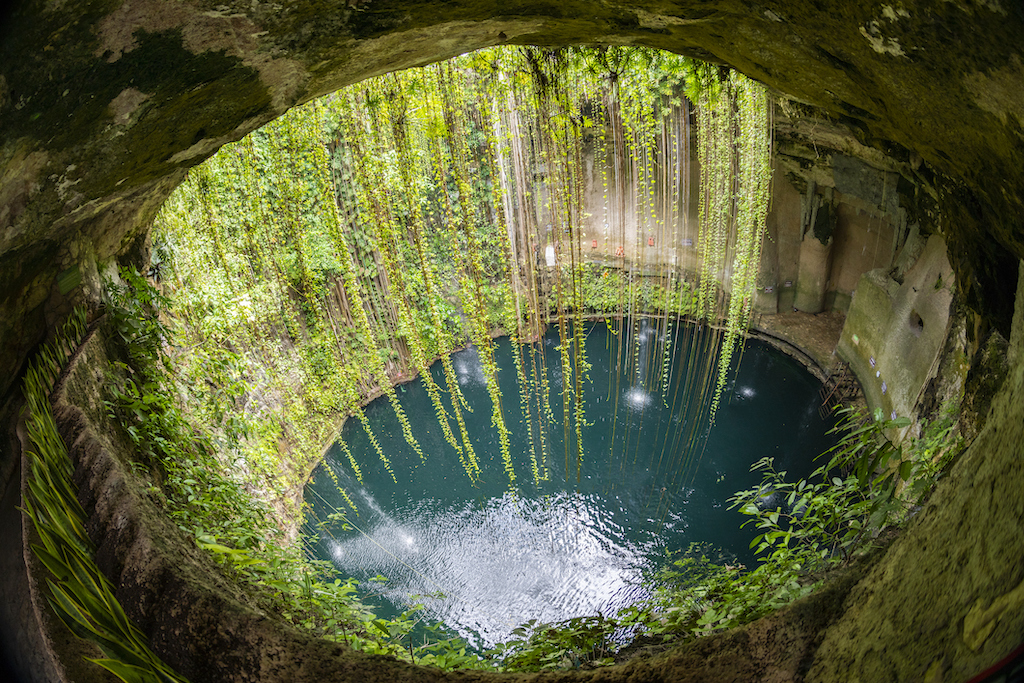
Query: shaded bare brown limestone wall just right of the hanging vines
[[839, 211]]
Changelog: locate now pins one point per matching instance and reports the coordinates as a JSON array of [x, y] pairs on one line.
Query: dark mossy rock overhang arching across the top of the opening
[[105, 105]]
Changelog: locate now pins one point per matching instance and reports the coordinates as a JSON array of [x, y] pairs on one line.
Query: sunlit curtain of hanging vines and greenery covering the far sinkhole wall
[[347, 246]]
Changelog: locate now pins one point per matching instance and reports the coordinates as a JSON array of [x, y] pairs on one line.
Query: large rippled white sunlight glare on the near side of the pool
[[493, 566]]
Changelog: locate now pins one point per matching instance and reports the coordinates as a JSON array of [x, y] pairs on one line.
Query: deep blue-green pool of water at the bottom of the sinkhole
[[565, 547]]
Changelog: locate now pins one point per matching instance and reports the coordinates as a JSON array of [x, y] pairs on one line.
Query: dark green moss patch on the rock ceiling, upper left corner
[[191, 97]]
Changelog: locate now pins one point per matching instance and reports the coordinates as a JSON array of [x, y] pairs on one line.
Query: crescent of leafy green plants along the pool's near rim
[[806, 527]]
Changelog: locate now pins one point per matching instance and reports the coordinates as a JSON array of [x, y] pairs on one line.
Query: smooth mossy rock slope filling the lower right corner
[[948, 601]]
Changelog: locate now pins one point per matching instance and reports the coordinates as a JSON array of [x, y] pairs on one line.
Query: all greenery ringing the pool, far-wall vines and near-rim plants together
[[199, 454]]
